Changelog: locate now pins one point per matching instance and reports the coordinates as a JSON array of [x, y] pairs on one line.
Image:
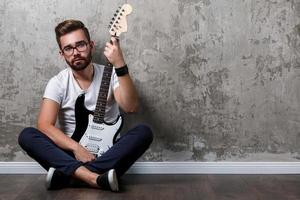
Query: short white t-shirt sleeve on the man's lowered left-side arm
[[53, 90]]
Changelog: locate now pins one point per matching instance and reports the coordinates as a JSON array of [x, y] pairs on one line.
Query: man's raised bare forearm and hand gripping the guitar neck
[[126, 94]]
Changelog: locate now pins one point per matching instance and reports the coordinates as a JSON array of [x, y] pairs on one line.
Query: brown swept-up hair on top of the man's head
[[68, 26]]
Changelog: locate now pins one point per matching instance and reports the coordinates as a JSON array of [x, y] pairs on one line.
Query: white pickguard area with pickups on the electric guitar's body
[[98, 138]]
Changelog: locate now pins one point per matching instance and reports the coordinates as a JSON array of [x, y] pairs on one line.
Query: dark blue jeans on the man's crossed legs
[[120, 156]]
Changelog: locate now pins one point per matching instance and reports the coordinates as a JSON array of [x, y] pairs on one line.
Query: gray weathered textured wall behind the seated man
[[219, 79]]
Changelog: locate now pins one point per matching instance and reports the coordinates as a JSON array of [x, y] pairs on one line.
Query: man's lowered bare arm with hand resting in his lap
[[46, 124]]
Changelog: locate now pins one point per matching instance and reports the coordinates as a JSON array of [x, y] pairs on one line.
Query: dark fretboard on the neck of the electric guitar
[[102, 97]]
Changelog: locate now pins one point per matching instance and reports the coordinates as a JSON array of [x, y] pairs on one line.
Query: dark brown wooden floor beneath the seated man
[[166, 187]]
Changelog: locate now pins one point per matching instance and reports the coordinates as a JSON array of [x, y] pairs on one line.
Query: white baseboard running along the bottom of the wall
[[176, 168]]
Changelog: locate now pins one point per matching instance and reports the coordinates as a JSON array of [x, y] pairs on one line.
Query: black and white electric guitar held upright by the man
[[91, 131]]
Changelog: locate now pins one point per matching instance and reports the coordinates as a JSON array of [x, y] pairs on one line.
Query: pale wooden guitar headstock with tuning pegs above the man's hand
[[118, 24]]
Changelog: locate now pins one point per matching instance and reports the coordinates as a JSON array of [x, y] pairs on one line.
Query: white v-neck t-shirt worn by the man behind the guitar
[[64, 89]]
